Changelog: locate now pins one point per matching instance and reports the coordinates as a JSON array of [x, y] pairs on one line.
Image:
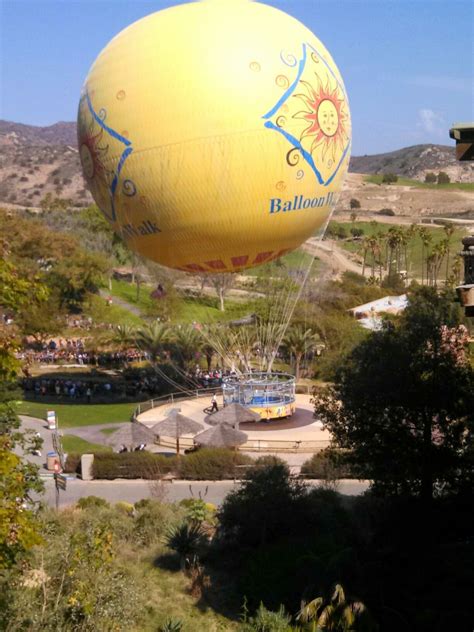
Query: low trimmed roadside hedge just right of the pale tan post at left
[[132, 465]]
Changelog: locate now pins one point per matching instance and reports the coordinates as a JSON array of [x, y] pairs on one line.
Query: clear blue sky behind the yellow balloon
[[407, 65]]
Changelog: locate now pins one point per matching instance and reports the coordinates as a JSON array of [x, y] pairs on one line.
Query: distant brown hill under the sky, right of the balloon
[[415, 162]]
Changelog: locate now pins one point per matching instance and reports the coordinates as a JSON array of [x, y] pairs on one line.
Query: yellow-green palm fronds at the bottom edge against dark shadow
[[338, 615]]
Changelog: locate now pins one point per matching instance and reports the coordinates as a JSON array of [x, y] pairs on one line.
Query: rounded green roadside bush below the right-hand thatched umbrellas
[[212, 464]]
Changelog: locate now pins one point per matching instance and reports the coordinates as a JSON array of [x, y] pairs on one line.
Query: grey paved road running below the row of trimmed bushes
[[132, 491]]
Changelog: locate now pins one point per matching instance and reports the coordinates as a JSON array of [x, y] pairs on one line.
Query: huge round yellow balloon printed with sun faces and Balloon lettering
[[215, 135]]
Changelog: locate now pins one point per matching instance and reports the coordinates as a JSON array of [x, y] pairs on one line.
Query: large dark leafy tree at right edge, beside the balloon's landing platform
[[402, 404]]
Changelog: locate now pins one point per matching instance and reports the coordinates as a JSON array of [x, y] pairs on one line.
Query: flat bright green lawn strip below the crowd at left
[[74, 415]]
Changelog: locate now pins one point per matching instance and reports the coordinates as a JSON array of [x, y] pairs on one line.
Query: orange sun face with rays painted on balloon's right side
[[326, 118]]
